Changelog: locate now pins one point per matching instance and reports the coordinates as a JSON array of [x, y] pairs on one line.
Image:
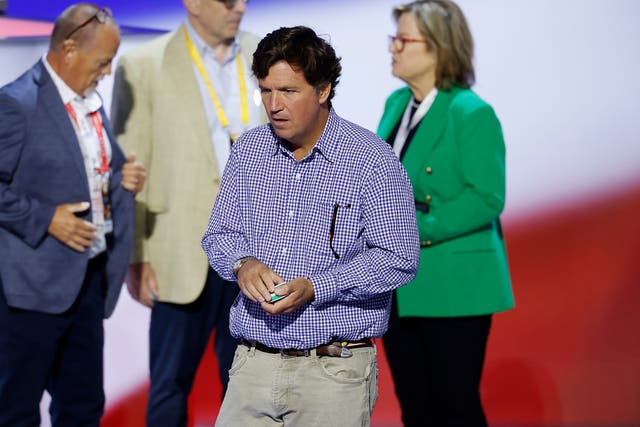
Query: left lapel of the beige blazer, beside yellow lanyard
[[178, 64]]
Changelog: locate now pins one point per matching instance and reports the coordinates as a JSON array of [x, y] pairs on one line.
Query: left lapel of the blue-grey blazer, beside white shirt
[[54, 107]]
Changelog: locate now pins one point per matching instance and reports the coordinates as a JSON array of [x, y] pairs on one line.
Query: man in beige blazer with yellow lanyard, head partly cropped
[[178, 102]]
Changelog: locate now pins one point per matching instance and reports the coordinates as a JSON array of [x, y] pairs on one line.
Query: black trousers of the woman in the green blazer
[[436, 364]]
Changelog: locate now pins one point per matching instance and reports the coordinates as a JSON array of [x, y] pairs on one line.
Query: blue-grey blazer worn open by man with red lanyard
[[41, 166]]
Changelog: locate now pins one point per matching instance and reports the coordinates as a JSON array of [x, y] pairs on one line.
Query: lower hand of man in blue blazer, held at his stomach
[[74, 232]]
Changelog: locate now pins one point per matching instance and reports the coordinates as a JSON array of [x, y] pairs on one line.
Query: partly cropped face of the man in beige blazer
[[219, 22]]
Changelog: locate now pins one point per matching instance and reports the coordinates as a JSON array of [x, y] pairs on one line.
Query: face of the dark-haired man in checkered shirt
[[296, 110]]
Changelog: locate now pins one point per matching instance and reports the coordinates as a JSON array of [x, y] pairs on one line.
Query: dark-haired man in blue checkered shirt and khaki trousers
[[323, 207]]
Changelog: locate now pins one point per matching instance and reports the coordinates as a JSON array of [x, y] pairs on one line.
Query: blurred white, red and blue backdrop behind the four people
[[563, 77]]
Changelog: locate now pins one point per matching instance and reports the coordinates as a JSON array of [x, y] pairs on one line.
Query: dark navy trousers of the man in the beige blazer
[[178, 336]]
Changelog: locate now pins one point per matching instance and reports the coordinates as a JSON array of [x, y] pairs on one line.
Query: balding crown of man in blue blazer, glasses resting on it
[[78, 22]]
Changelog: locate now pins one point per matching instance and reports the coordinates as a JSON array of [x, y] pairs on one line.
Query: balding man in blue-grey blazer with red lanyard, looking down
[[66, 225]]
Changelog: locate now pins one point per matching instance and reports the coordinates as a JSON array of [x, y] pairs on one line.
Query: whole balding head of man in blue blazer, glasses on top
[[84, 41]]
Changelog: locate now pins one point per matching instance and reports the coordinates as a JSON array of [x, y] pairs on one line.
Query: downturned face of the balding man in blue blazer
[[90, 62]]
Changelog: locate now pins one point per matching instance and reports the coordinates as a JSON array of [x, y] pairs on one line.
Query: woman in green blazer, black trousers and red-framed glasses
[[451, 144]]
